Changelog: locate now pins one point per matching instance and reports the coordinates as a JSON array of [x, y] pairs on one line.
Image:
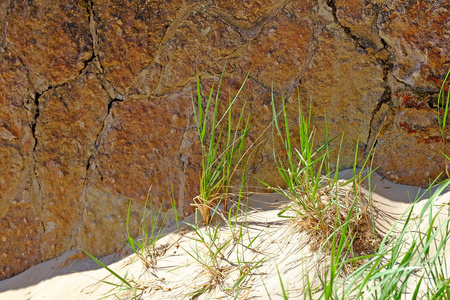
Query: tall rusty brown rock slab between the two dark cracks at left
[[70, 121]]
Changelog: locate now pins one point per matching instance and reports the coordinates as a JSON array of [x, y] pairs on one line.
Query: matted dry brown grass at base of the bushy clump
[[337, 206]]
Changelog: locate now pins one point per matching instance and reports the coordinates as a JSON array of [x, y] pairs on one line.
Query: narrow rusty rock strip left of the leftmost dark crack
[[18, 215]]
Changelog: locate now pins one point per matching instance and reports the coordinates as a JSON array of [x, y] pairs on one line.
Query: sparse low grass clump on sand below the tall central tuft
[[213, 249]]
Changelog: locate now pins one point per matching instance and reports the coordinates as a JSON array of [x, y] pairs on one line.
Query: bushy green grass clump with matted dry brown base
[[322, 207]]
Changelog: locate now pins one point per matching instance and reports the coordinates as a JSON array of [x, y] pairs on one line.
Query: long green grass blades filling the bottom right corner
[[417, 249]]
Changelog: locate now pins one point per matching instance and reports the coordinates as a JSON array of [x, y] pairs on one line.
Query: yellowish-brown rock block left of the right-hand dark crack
[[349, 101]]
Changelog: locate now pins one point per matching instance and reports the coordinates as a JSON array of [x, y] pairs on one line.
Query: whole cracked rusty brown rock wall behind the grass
[[95, 101]]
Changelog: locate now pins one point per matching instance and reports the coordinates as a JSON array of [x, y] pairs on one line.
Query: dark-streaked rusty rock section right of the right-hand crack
[[417, 34]]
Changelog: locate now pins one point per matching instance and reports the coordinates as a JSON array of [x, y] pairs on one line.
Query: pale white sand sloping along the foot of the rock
[[177, 275]]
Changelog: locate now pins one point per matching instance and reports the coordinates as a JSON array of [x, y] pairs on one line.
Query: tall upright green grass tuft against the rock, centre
[[218, 165]]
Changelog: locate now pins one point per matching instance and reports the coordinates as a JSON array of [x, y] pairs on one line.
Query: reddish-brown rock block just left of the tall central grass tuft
[[145, 136]]
